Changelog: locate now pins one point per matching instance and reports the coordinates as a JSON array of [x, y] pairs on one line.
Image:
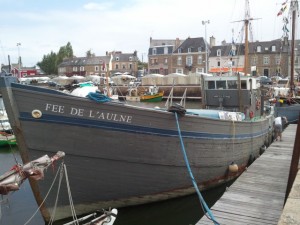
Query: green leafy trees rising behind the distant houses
[[50, 62]]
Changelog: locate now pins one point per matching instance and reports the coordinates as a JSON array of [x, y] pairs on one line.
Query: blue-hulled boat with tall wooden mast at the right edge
[[288, 106]]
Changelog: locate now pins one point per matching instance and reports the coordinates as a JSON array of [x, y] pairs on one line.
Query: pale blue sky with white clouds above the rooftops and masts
[[42, 26]]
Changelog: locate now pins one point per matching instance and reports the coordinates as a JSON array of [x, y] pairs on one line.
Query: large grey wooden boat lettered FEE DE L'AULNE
[[121, 155]]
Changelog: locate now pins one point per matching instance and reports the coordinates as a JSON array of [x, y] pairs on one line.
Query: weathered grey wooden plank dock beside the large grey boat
[[258, 195]]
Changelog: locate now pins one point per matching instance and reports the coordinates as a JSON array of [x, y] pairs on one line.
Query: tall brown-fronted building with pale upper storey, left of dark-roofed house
[[160, 55]]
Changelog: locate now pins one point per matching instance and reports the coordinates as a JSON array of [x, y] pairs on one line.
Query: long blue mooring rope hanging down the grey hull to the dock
[[202, 201]]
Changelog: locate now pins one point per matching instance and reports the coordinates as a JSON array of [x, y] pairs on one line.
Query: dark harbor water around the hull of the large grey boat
[[20, 207]]
